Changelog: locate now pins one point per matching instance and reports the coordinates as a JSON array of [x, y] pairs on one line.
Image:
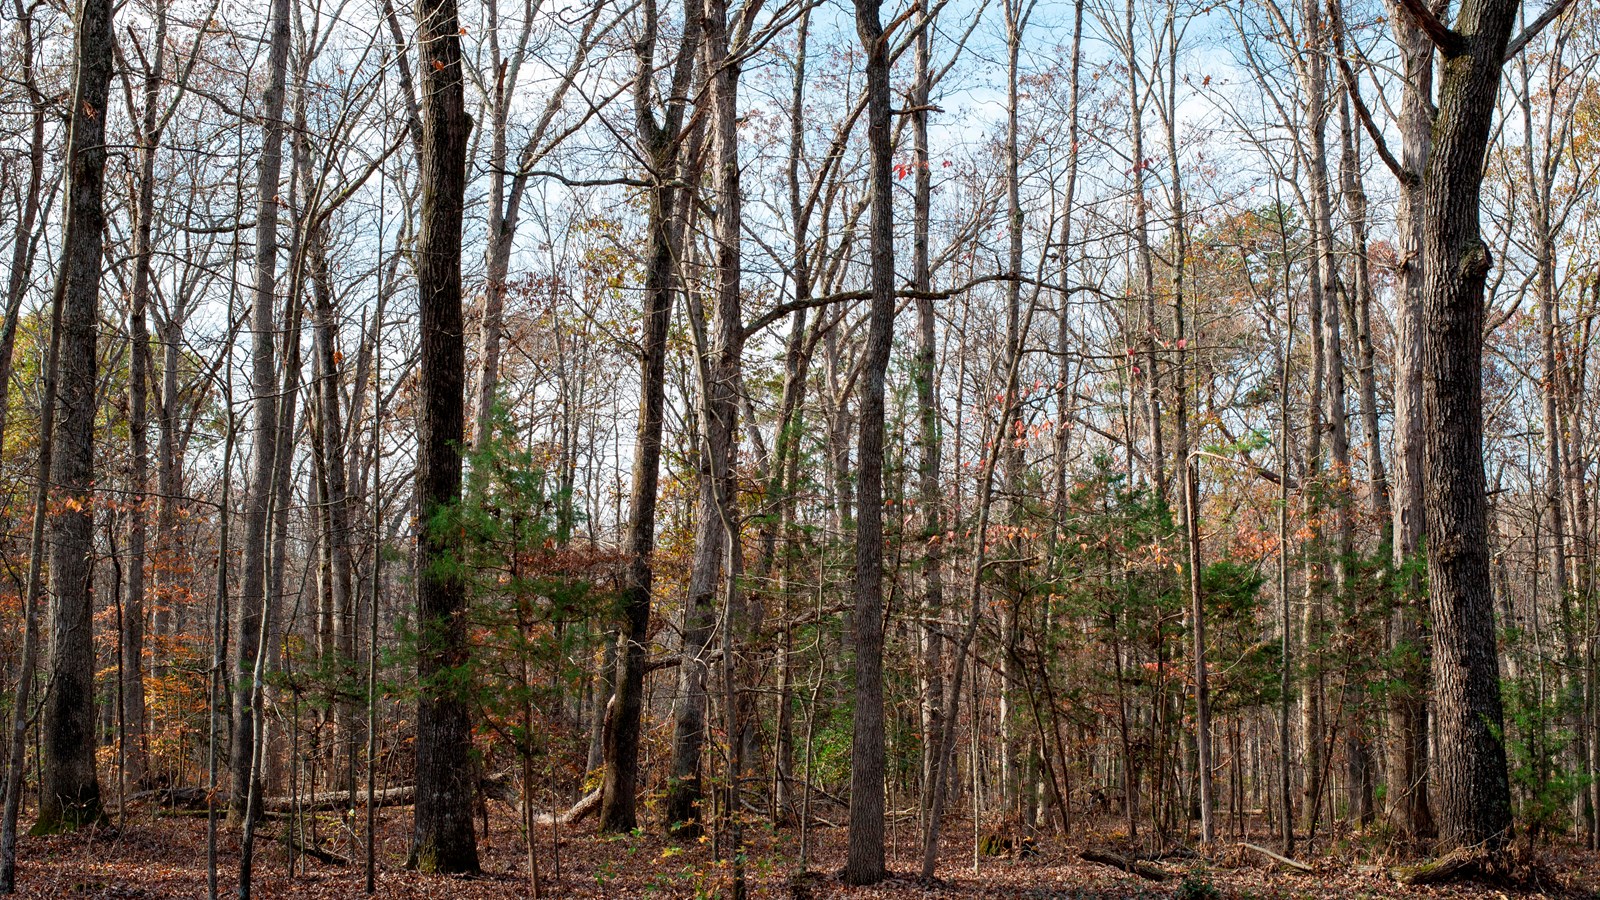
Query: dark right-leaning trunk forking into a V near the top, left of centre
[[662, 143]]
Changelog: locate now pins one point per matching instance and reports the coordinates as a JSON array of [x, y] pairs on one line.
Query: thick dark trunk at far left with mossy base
[[70, 790]]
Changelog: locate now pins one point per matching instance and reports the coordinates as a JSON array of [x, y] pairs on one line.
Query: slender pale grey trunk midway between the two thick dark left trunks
[[265, 401]]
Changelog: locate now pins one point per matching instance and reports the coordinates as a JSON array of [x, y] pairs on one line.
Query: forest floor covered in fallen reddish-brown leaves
[[166, 858]]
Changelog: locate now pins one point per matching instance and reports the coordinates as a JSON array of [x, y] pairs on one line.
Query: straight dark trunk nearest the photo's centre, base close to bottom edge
[[865, 862]]
